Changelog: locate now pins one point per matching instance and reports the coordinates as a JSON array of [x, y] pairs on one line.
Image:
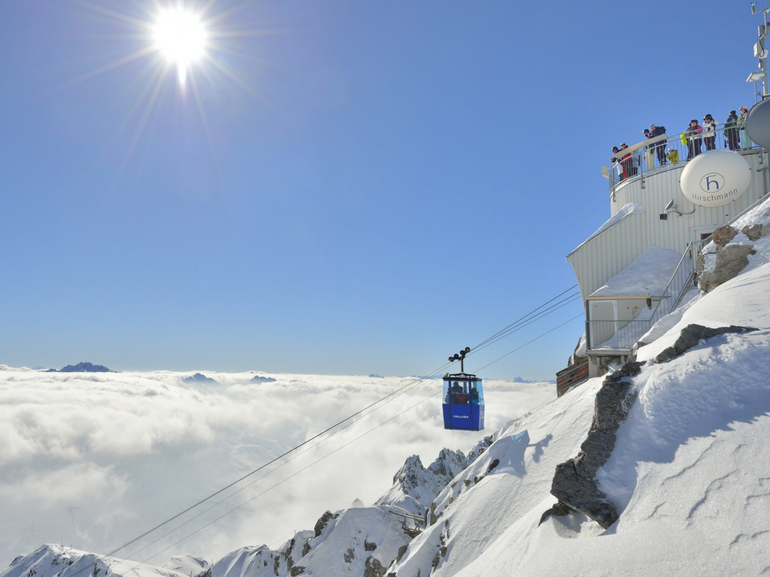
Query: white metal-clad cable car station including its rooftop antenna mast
[[637, 267]]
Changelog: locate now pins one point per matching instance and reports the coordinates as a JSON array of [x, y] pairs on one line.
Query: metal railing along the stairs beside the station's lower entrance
[[629, 333]]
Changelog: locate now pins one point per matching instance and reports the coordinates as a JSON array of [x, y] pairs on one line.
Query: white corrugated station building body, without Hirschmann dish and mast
[[653, 231]]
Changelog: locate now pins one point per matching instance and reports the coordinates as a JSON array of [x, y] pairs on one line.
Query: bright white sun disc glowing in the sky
[[180, 36]]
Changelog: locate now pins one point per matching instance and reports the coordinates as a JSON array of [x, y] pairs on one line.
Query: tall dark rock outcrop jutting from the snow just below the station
[[574, 482]]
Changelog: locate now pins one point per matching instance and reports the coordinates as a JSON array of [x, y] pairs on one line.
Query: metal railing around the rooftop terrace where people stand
[[647, 159]]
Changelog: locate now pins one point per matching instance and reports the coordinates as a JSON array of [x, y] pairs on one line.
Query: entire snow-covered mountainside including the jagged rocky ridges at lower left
[[689, 475]]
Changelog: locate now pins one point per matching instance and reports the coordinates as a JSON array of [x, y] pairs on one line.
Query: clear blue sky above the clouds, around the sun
[[375, 185]]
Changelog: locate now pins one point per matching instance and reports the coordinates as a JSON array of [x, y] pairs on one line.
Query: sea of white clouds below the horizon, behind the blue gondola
[[92, 460]]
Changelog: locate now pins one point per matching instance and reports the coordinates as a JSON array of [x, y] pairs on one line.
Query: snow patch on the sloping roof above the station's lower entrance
[[648, 275]]
